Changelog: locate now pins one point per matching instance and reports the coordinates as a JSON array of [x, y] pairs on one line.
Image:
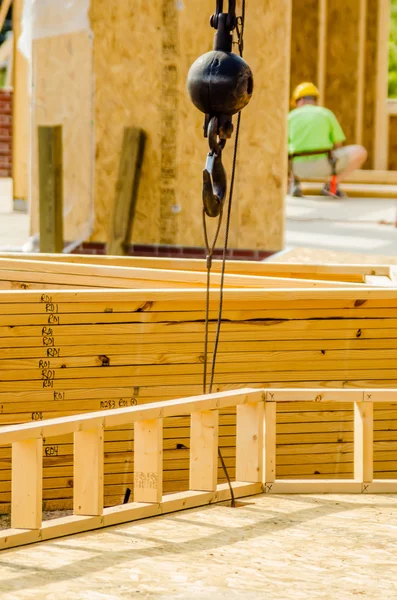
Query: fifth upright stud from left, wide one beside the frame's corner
[[250, 442]]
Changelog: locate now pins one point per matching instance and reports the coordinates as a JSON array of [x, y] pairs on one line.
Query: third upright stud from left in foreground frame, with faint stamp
[[148, 461]]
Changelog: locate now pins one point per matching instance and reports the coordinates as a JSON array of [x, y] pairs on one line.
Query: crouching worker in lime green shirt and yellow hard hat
[[314, 128]]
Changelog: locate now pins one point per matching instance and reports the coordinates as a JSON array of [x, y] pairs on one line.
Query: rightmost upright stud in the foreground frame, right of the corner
[[363, 441]]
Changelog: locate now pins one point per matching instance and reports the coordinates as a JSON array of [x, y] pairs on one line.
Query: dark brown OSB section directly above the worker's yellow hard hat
[[304, 41]]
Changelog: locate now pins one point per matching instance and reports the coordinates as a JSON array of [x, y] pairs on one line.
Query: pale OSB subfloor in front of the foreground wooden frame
[[275, 547]]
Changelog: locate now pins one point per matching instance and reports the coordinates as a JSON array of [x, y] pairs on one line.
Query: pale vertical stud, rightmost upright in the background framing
[[381, 116]]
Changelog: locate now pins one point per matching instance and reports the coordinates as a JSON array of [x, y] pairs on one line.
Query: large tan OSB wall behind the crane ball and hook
[[142, 54]]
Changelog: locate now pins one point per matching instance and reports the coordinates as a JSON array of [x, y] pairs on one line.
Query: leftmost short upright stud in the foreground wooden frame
[[27, 484]]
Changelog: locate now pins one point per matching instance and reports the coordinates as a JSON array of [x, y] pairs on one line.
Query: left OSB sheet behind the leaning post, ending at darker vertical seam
[[127, 50]]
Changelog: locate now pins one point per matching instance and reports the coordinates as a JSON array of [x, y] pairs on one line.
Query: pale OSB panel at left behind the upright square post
[[63, 95]]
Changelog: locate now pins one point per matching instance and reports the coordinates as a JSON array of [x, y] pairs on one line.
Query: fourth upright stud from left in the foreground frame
[[204, 451]]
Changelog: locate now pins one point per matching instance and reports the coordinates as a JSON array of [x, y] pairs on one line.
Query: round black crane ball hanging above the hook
[[220, 83]]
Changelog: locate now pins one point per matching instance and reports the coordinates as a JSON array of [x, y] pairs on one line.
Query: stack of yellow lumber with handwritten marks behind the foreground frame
[[67, 351]]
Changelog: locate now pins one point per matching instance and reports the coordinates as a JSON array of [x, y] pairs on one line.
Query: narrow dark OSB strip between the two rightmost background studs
[[370, 81]]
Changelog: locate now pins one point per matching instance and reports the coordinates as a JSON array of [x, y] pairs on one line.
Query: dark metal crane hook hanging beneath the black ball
[[214, 174]]
